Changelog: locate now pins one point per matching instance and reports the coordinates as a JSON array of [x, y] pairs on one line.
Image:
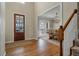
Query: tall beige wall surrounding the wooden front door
[[26, 9]]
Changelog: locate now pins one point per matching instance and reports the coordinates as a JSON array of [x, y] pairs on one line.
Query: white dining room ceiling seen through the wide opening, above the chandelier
[[52, 14]]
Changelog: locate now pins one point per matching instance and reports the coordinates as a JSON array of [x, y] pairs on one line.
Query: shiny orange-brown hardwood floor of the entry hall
[[31, 48]]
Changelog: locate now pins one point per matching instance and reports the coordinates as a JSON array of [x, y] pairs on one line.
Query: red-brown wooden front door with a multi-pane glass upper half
[[19, 27]]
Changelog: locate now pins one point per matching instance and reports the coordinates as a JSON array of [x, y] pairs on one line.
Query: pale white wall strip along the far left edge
[[2, 29]]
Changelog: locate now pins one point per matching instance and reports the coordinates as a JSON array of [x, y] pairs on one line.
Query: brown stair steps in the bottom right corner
[[74, 51]]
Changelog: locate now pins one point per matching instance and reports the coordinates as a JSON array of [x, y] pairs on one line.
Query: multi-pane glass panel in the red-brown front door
[[19, 23]]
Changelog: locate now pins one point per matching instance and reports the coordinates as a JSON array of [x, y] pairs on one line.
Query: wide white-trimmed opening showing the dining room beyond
[[49, 21]]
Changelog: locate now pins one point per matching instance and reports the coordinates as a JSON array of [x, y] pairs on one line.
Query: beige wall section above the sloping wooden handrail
[[68, 9]]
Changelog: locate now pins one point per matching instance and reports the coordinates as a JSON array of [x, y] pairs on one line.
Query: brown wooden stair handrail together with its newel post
[[61, 30]]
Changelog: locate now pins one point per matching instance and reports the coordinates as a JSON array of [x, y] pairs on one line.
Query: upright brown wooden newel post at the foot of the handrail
[[61, 38]]
